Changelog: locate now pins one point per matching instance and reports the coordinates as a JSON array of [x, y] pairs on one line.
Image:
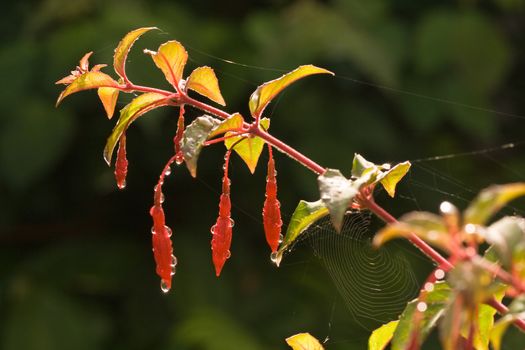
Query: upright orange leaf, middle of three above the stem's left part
[[170, 59]]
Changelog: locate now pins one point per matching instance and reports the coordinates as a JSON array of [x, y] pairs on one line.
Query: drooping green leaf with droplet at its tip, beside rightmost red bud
[[305, 214]]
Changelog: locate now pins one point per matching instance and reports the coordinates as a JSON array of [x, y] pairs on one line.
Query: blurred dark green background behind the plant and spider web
[[415, 79]]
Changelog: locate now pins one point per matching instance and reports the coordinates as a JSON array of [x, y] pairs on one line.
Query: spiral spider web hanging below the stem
[[374, 284]]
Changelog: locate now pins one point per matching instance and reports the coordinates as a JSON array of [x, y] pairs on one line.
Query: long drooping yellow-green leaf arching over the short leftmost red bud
[[137, 107]]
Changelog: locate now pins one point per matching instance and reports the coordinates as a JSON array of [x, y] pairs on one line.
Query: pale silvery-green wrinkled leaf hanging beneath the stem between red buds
[[193, 140]]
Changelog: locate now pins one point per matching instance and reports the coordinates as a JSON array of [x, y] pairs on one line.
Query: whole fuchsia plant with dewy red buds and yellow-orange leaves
[[461, 296]]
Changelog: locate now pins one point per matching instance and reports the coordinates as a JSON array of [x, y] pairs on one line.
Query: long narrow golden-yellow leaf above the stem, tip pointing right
[[267, 91]]
